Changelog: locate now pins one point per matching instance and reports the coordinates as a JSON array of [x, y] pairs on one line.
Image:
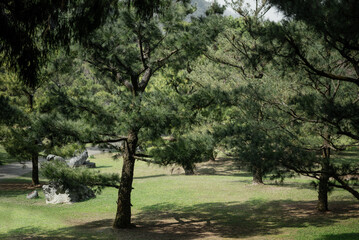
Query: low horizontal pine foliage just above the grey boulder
[[70, 178]]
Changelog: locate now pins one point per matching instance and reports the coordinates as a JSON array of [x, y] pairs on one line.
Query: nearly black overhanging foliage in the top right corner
[[336, 20]]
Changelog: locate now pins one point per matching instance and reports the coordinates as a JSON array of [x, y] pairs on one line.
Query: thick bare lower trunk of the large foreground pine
[[123, 214]]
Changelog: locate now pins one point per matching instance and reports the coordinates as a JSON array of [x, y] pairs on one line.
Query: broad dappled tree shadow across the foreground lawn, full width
[[220, 220]]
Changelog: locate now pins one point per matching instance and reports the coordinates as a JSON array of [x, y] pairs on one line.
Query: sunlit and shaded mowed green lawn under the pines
[[223, 205]]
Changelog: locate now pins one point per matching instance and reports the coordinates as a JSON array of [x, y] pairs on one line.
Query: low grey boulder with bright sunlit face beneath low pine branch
[[55, 193]]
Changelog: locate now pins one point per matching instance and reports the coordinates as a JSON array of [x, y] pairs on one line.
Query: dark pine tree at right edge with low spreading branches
[[322, 101]]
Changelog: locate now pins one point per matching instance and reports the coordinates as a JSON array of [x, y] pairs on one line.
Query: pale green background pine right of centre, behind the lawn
[[248, 134]]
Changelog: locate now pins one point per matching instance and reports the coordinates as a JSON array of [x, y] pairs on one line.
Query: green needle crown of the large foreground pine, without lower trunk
[[129, 55]]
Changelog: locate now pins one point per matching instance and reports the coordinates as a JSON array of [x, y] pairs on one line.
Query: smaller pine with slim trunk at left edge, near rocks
[[36, 122]]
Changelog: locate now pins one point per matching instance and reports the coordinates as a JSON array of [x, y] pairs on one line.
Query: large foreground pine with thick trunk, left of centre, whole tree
[[129, 51]]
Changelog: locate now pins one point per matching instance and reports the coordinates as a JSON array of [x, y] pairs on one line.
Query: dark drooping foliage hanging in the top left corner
[[32, 29]]
